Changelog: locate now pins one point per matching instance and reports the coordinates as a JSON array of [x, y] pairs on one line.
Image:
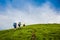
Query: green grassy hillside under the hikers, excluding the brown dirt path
[[42, 32]]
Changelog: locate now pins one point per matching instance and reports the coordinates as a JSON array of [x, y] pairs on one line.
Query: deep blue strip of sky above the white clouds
[[21, 3]]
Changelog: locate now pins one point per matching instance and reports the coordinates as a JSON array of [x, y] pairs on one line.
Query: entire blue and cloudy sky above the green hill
[[28, 12]]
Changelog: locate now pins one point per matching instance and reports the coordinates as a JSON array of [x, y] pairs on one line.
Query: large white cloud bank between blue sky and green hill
[[31, 15]]
